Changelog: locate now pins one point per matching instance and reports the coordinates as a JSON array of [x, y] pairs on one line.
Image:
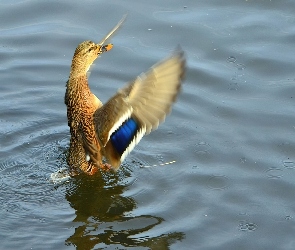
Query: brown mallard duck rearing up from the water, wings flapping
[[103, 135]]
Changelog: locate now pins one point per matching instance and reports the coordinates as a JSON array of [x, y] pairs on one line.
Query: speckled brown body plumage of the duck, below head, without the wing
[[81, 105]]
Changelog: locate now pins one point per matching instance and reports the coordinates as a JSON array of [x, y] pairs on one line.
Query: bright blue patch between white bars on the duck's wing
[[122, 137]]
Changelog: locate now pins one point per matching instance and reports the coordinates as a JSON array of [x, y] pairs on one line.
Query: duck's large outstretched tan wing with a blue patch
[[138, 108]]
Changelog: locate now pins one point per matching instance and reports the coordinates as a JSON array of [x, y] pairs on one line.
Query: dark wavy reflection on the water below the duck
[[104, 215]]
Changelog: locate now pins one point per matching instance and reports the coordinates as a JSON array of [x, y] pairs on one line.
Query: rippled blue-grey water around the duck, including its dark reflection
[[231, 133]]
